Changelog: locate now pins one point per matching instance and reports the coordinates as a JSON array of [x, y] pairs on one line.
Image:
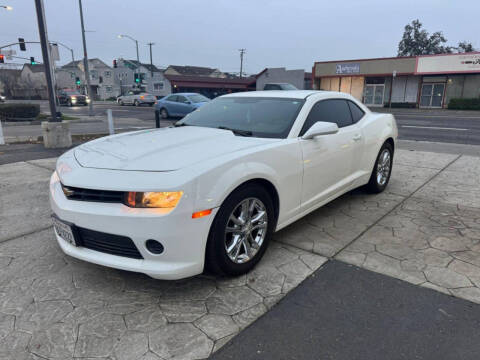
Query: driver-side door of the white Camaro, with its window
[[328, 160]]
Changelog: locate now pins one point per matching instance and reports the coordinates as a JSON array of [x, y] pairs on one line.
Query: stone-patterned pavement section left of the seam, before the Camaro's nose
[[56, 307]]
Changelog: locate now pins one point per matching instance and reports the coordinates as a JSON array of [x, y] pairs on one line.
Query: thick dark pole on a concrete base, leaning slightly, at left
[[42, 29]]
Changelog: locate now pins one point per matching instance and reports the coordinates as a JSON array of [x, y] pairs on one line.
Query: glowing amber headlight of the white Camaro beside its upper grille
[[166, 199]]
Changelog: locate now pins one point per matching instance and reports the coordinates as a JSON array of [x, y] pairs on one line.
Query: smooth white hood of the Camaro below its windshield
[[165, 149]]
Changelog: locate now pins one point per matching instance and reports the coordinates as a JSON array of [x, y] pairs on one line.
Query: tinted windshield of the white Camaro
[[248, 116]]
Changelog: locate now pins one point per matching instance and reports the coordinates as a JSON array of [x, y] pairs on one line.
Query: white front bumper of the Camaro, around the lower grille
[[184, 239]]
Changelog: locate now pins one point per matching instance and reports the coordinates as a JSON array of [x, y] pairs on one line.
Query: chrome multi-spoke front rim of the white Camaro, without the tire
[[246, 230]]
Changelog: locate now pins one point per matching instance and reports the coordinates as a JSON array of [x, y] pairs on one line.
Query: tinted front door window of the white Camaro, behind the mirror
[[335, 110]]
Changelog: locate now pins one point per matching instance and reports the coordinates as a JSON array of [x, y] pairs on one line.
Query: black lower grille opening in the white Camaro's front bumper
[[108, 243]]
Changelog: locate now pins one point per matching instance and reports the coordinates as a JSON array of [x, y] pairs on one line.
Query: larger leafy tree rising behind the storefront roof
[[417, 41]]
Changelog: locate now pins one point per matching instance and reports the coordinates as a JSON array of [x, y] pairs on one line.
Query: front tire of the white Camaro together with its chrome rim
[[241, 231]]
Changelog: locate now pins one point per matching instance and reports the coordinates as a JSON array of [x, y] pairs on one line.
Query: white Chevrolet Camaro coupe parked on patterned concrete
[[210, 191]]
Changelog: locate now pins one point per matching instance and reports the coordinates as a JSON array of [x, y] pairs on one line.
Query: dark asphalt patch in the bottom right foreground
[[344, 312]]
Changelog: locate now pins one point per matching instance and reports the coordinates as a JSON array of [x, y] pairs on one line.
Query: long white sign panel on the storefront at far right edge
[[446, 64]]
